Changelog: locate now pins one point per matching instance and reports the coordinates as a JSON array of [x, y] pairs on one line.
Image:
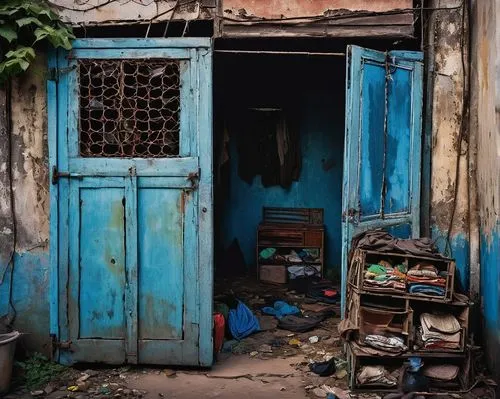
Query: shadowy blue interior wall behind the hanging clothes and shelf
[[319, 95]]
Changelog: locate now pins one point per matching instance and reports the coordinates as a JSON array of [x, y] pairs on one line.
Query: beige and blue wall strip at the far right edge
[[485, 126]]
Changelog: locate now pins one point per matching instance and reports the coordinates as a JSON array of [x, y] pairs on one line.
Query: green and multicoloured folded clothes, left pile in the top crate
[[383, 275]]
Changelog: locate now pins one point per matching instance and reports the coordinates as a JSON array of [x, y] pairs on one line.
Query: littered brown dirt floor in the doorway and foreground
[[273, 363]]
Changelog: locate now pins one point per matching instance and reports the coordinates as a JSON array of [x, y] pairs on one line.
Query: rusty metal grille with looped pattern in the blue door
[[129, 108]]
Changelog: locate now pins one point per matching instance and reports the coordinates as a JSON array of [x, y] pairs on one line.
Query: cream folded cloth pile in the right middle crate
[[439, 331]]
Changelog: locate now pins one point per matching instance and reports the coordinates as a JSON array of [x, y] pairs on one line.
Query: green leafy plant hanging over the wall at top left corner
[[24, 26]]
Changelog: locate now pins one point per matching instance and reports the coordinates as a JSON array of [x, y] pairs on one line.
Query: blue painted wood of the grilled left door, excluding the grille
[[132, 238]]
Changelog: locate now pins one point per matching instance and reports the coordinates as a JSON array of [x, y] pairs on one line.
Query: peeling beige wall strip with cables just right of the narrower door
[[449, 194]]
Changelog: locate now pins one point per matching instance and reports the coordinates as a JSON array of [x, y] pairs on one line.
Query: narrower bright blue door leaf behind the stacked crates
[[382, 156]]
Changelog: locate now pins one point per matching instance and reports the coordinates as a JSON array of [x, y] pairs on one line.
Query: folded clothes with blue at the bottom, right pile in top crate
[[424, 278]]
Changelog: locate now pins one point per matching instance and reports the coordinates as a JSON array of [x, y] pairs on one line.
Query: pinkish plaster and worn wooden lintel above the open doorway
[[319, 18]]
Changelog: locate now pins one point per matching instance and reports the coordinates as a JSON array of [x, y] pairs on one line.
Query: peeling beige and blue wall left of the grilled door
[[29, 170]]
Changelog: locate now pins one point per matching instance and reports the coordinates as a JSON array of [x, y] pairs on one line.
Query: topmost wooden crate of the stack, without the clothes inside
[[361, 258]]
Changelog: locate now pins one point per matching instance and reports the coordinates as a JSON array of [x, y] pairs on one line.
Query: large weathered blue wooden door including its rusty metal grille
[[133, 172]]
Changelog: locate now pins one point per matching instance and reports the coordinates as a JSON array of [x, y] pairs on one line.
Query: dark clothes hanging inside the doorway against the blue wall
[[269, 145]]
